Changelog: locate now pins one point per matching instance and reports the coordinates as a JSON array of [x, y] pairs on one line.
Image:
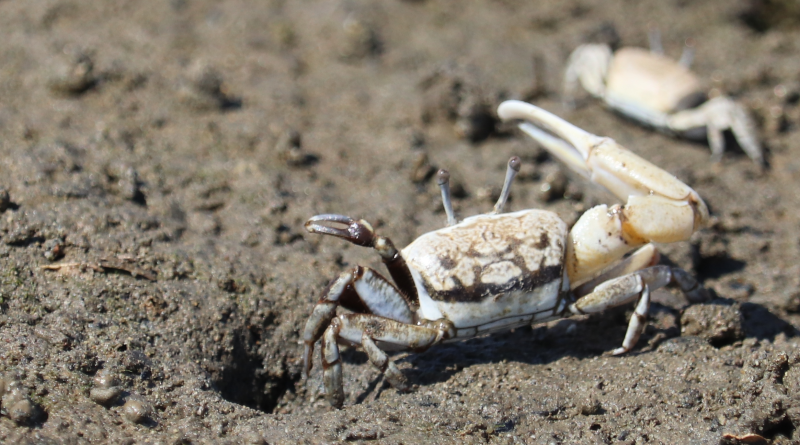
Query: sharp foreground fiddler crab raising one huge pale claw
[[499, 271]]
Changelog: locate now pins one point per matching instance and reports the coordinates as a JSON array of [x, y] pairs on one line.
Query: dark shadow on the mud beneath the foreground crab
[[580, 338]]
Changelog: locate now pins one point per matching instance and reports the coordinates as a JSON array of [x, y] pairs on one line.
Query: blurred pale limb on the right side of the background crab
[[718, 115]]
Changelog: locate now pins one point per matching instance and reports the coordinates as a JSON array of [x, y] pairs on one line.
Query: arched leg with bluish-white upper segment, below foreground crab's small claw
[[360, 289]]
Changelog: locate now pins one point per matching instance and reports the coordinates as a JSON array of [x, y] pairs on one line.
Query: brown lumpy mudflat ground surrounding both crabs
[[159, 159]]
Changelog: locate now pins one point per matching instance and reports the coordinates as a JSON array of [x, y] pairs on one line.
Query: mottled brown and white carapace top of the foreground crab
[[486, 256]]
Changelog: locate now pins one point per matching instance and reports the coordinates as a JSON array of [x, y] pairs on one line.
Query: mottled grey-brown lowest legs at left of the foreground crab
[[368, 330]]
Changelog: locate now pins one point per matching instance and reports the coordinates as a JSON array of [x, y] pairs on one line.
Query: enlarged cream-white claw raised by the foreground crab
[[659, 207]]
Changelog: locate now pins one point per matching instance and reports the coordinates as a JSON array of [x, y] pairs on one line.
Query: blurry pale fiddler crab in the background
[[659, 92]]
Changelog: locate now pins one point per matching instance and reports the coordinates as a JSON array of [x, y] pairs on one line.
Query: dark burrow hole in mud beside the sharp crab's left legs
[[245, 380]]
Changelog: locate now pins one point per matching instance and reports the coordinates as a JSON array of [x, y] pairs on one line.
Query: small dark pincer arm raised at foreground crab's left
[[362, 234]]
